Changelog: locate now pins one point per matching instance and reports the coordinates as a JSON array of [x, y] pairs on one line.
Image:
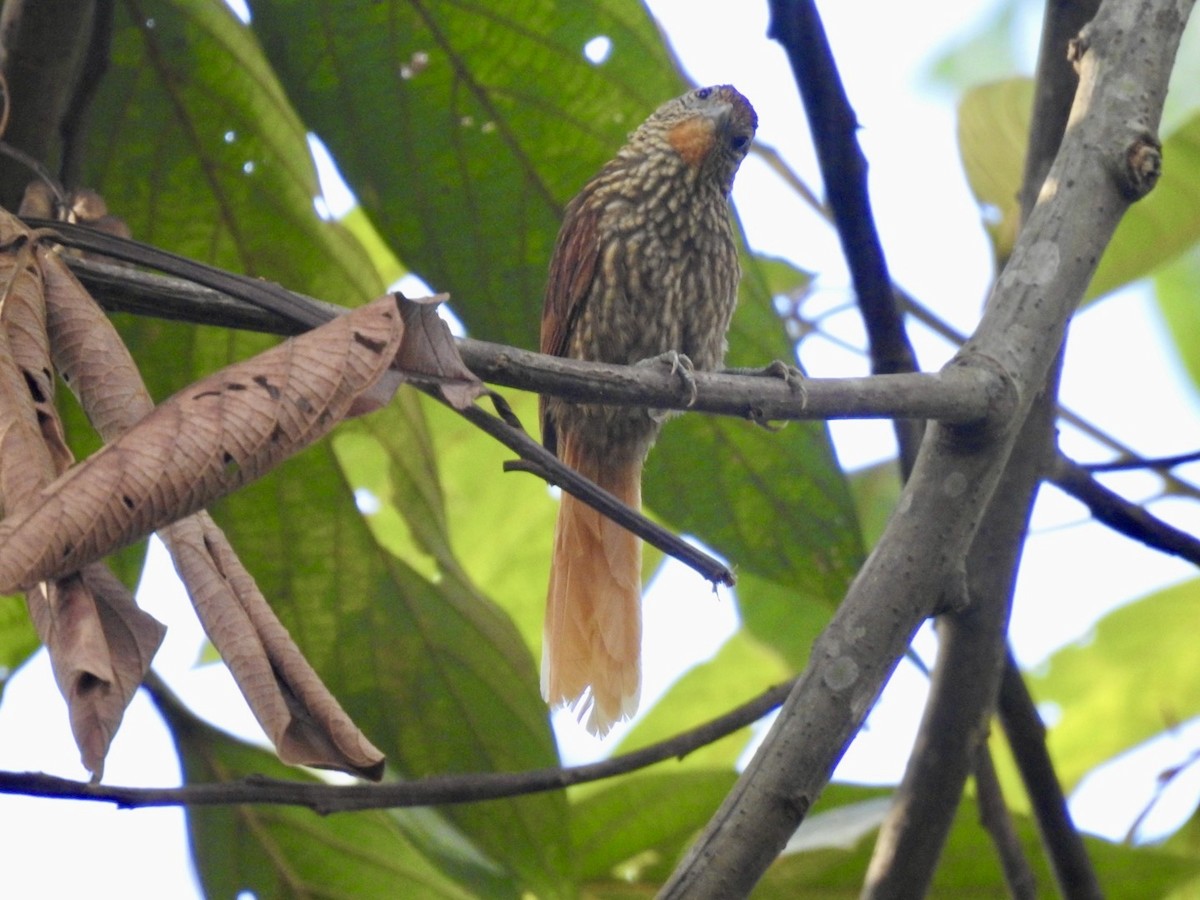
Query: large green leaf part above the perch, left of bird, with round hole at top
[[464, 129]]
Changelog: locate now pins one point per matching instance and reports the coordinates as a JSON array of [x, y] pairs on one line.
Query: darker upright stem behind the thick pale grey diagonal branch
[[952, 740]]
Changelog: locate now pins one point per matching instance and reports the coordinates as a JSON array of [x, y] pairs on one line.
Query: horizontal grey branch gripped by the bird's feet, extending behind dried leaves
[[218, 298]]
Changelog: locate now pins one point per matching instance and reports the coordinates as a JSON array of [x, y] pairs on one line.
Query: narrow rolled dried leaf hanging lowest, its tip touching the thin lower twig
[[307, 724]]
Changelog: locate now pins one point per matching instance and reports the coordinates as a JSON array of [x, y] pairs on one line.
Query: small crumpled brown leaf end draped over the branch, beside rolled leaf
[[429, 350]]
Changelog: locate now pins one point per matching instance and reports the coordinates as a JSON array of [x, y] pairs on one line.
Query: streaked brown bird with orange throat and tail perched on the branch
[[645, 267]]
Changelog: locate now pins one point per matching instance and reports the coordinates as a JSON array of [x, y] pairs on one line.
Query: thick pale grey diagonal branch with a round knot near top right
[[919, 563]]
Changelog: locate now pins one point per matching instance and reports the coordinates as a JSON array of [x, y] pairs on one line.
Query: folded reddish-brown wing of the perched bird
[[572, 274]]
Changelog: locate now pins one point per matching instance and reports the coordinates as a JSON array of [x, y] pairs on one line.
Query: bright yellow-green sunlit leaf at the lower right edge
[[1127, 683]]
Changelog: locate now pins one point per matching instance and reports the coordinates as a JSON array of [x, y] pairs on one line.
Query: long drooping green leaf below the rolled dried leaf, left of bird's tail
[[431, 670]]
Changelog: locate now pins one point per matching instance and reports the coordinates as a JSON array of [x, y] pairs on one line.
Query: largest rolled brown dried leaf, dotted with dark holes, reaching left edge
[[203, 443]]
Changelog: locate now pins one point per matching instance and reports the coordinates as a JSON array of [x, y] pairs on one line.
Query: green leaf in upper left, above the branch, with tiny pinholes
[[196, 146]]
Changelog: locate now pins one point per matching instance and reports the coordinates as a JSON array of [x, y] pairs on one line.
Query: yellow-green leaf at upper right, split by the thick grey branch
[[994, 124]]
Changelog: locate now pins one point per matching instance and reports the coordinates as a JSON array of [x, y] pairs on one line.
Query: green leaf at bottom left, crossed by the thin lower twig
[[287, 851]]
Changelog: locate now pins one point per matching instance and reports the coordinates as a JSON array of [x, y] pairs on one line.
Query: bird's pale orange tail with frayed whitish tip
[[593, 637]]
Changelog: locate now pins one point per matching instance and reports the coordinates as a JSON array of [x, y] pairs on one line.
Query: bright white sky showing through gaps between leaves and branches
[[938, 251]]
